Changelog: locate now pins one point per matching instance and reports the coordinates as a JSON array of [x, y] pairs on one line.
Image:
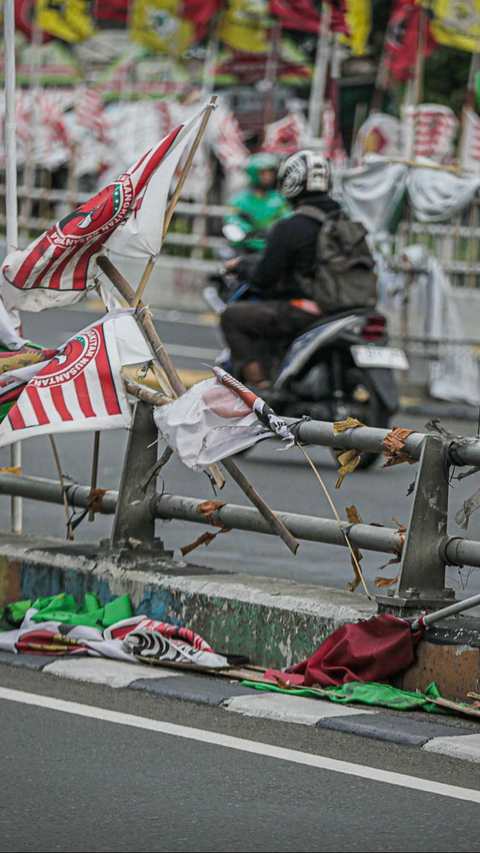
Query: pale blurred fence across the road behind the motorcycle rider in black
[[194, 245]]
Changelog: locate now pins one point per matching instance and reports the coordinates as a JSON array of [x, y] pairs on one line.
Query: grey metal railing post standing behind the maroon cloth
[[421, 585]]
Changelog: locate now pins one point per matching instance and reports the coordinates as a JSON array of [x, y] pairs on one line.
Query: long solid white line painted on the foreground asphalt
[[319, 762]]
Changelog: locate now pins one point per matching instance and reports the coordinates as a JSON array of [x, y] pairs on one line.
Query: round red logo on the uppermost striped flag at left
[[98, 216]]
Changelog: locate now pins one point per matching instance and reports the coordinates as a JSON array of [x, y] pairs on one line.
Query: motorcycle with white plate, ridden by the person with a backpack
[[340, 367]]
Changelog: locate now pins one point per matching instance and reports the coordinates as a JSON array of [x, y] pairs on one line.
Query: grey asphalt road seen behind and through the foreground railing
[[283, 479]]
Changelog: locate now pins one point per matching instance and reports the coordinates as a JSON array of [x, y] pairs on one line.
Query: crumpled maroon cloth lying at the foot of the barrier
[[374, 650]]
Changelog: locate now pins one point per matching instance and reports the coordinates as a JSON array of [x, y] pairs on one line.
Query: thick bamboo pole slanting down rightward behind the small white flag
[[163, 358]]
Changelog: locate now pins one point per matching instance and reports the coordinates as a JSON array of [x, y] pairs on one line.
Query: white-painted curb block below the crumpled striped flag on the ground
[[112, 673]]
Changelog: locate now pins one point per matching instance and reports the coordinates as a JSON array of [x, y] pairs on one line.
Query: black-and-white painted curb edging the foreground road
[[430, 734]]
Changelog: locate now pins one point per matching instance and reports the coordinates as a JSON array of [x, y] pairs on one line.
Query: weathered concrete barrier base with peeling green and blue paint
[[275, 623]]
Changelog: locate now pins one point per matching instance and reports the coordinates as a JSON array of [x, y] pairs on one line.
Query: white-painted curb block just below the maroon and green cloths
[[289, 709]]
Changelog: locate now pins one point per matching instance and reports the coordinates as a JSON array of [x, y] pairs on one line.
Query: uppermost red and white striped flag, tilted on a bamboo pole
[[56, 269]]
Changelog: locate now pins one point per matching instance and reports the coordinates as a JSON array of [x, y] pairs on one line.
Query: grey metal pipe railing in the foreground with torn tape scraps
[[423, 549]]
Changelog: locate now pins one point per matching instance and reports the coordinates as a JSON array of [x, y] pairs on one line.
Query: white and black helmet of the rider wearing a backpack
[[303, 173]]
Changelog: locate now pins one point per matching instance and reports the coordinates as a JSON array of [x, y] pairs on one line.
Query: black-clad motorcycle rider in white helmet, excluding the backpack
[[276, 276]]
